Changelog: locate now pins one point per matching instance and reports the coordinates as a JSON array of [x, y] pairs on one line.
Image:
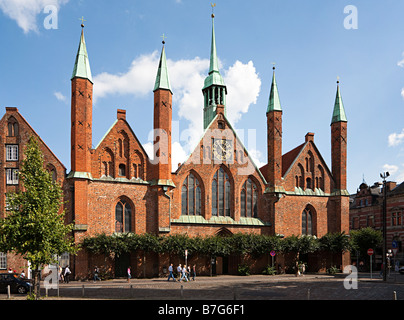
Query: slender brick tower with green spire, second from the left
[[162, 122]]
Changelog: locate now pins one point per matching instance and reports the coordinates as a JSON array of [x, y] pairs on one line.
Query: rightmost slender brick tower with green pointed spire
[[339, 144]]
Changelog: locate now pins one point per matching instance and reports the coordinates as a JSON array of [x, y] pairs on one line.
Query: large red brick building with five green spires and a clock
[[117, 187]]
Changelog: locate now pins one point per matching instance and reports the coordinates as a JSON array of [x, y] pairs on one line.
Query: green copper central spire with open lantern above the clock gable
[[214, 90]]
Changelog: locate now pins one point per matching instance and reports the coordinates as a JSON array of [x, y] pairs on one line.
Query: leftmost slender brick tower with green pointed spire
[[81, 112]]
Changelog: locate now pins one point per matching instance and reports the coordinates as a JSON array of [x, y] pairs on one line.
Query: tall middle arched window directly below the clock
[[221, 194]]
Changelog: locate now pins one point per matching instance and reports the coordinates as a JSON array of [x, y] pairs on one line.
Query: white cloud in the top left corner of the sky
[[25, 12]]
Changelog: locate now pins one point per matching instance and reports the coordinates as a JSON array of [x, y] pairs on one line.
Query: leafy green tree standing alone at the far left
[[34, 227]]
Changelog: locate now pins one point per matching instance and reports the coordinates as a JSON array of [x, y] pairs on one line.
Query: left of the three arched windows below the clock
[[191, 196]]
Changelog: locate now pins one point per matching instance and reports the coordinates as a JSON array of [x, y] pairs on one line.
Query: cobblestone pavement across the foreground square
[[256, 287]]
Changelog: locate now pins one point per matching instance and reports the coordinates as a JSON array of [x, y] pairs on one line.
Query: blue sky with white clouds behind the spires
[[307, 40]]
